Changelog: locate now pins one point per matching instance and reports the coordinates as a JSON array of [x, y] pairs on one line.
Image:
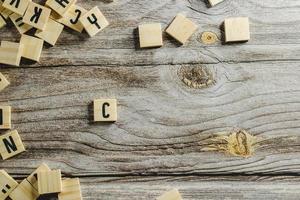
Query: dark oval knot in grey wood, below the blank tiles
[[196, 77]]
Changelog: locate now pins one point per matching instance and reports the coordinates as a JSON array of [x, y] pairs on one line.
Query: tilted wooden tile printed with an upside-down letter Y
[[93, 21]]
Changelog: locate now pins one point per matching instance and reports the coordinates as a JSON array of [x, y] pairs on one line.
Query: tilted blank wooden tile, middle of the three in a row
[[181, 28]]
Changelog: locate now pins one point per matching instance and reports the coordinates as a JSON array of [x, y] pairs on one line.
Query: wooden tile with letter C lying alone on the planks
[[105, 110]]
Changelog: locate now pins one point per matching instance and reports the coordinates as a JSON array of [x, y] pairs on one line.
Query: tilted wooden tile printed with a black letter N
[[11, 145]]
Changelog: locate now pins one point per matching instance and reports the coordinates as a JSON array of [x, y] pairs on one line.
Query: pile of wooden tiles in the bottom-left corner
[[41, 182]]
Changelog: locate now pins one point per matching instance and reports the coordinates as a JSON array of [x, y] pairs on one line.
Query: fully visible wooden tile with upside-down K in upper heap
[[36, 16]]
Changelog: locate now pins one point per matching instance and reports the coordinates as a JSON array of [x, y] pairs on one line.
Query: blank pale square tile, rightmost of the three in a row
[[237, 29]]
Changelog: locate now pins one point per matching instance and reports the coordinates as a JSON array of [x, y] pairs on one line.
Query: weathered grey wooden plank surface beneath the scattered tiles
[[164, 123]]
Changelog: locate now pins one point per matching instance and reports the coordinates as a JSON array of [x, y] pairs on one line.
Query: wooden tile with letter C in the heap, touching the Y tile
[[71, 18]]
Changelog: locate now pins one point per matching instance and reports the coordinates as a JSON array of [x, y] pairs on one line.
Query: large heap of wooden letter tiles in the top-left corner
[[49, 22]]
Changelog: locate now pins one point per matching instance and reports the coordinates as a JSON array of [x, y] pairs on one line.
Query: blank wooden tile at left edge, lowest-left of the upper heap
[[10, 53]]
